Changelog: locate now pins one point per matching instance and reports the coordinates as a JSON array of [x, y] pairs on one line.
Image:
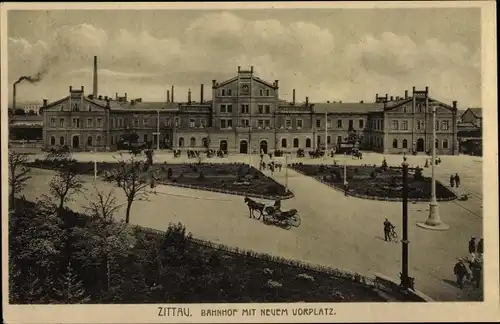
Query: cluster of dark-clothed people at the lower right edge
[[471, 268]]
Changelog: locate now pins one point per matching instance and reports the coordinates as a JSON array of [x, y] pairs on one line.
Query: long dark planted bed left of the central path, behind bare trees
[[232, 178]]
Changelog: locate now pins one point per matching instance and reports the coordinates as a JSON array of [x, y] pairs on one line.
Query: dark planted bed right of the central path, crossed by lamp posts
[[372, 182]]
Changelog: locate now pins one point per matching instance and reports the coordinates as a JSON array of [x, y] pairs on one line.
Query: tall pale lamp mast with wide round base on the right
[[433, 221]]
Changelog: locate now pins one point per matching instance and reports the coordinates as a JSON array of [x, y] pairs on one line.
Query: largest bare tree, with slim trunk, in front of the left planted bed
[[129, 176]]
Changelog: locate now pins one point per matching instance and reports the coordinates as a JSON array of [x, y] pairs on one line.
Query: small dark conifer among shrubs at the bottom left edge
[[70, 289]]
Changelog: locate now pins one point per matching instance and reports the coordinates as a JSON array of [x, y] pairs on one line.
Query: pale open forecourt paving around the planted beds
[[344, 232]]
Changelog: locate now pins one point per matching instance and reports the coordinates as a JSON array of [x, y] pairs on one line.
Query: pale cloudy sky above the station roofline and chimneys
[[329, 54]]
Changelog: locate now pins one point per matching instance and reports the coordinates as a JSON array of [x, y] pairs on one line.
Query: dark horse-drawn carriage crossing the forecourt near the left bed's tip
[[271, 215]]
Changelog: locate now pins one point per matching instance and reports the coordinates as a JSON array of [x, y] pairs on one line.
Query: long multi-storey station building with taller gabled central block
[[246, 115]]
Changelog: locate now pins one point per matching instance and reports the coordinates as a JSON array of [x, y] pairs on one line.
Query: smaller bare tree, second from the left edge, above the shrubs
[[65, 184]]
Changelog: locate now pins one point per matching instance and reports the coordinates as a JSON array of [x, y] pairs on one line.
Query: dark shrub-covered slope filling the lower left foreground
[[68, 258]]
